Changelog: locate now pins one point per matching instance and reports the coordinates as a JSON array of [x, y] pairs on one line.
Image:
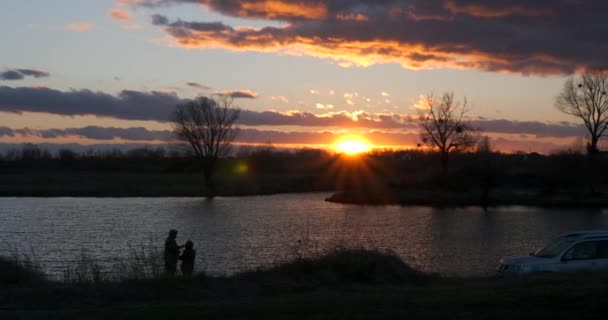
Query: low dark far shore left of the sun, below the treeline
[[147, 185]]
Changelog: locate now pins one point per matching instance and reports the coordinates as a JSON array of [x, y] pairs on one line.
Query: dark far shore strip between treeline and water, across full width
[[182, 185]]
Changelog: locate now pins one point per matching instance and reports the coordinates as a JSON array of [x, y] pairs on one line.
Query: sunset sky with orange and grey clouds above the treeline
[[304, 73]]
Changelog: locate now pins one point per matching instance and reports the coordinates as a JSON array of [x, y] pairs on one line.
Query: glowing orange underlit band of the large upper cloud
[[349, 51]]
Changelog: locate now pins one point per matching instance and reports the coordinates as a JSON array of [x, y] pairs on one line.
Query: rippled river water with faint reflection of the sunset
[[232, 234]]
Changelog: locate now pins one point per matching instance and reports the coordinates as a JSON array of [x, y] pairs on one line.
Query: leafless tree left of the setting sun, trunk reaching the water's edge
[[207, 125]]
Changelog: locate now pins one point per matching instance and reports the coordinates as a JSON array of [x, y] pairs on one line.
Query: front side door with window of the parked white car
[[582, 256]]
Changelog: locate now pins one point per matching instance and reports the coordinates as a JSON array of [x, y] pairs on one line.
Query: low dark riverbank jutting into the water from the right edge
[[444, 198]]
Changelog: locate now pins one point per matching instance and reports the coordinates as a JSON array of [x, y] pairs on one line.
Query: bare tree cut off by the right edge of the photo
[[586, 99]]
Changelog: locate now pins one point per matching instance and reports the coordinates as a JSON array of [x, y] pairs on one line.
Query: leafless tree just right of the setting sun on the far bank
[[444, 127]]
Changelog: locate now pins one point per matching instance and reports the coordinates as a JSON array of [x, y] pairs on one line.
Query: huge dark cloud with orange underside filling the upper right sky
[[522, 36]]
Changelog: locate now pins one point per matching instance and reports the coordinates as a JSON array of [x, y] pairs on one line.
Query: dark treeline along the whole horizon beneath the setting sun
[[403, 169]]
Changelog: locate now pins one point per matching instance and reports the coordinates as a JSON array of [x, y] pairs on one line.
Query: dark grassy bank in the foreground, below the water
[[342, 284]]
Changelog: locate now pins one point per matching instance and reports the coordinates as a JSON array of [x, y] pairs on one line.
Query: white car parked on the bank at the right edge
[[570, 252]]
